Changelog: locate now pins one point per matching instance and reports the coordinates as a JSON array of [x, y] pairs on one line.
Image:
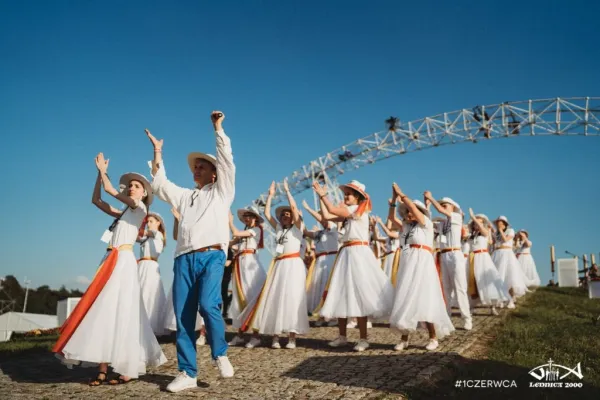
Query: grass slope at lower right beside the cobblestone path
[[556, 323]]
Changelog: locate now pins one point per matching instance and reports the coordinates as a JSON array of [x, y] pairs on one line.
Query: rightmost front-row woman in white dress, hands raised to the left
[[419, 295]]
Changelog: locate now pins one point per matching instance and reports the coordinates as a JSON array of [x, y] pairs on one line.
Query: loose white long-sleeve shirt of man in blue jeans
[[204, 212]]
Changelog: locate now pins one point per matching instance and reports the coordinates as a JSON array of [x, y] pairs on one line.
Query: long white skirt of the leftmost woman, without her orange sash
[[116, 329]]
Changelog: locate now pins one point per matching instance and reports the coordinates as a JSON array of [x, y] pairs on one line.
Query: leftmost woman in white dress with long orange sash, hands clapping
[[109, 326]]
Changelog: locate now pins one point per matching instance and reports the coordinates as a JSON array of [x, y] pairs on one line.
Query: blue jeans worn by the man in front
[[197, 285]]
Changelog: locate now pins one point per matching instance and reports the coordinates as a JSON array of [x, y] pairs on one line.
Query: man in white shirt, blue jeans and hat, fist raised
[[201, 250]]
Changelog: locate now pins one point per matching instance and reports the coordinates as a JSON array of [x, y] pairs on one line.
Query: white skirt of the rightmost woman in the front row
[[419, 295]]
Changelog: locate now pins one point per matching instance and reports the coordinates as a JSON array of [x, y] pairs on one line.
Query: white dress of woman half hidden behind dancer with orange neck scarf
[[326, 247]]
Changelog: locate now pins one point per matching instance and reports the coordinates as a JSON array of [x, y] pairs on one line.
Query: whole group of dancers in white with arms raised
[[345, 273]]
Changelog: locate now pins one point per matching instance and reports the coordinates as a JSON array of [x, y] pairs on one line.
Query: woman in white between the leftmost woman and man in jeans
[[153, 293]]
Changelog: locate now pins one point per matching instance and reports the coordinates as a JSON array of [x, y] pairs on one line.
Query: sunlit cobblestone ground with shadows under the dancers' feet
[[311, 371]]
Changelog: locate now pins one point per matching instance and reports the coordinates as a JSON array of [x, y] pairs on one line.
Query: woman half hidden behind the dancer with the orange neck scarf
[[326, 248]]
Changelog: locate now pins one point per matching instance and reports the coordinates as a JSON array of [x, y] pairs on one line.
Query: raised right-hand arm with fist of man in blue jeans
[[225, 166]]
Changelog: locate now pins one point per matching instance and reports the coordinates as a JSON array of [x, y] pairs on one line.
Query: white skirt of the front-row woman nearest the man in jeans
[[282, 306]]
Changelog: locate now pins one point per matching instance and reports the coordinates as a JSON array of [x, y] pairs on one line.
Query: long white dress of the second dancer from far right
[[508, 266]]
